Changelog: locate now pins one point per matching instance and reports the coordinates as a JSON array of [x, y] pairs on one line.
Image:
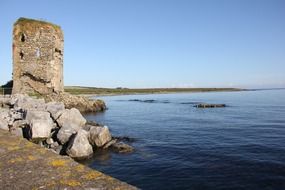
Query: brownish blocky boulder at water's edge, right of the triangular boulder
[[99, 136]]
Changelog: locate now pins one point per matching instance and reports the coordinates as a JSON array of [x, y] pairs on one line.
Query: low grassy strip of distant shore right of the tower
[[123, 91]]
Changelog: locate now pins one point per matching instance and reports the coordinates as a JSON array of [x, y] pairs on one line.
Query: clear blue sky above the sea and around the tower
[[160, 43]]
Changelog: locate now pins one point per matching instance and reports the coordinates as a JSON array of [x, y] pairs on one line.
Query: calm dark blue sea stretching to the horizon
[[178, 146]]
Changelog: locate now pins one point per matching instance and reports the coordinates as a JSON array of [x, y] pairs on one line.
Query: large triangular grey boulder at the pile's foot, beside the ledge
[[79, 147]]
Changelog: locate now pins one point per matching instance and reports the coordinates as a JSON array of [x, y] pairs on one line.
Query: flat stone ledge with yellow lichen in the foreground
[[24, 165]]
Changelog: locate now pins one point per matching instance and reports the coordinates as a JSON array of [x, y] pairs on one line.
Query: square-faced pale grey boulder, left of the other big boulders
[[40, 129]]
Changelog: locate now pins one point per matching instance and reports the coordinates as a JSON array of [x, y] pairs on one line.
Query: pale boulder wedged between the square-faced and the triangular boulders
[[66, 131]]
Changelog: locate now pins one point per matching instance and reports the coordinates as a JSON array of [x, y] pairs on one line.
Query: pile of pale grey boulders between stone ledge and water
[[65, 131]]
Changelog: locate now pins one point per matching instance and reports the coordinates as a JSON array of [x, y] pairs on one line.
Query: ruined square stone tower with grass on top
[[37, 57]]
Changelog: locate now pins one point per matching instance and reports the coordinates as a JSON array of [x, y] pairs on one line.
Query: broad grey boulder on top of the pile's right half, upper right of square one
[[70, 116]]
